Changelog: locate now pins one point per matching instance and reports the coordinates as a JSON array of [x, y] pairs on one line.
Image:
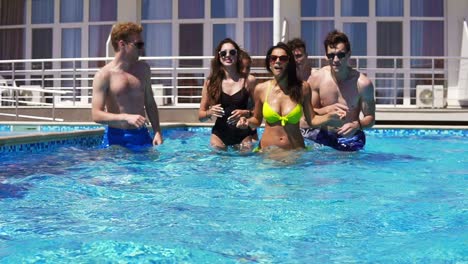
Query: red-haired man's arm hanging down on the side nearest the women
[[152, 108]]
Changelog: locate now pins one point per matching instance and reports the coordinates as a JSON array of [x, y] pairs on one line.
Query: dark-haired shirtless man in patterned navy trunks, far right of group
[[339, 90]]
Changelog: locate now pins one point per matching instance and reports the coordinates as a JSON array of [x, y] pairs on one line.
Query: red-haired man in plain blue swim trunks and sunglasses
[[122, 92]]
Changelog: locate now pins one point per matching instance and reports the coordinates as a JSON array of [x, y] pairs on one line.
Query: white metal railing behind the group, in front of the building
[[178, 81]]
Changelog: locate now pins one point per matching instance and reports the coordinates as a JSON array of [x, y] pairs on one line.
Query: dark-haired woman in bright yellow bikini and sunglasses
[[281, 101]]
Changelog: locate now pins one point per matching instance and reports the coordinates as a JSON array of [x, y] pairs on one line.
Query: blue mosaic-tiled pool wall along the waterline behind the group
[[95, 139]]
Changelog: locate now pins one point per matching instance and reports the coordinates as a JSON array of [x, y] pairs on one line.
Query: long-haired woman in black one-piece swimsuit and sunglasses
[[225, 96]]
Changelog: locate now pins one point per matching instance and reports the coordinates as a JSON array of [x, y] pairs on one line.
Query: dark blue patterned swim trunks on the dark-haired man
[[334, 140]]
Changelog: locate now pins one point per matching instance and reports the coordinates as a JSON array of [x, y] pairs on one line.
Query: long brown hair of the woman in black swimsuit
[[217, 73]]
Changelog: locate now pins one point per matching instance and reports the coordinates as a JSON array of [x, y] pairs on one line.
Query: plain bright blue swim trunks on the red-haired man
[[127, 137]]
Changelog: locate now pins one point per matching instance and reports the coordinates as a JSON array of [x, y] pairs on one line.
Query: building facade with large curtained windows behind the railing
[[400, 43]]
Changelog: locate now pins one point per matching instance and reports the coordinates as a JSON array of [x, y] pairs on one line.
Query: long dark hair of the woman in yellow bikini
[[294, 89]]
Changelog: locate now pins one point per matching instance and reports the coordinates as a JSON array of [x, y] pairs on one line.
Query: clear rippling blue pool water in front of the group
[[401, 200]]
